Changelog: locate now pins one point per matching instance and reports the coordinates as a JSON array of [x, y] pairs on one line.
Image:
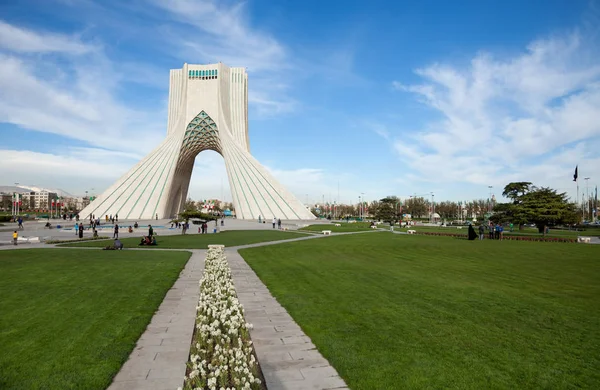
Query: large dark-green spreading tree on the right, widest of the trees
[[540, 206]]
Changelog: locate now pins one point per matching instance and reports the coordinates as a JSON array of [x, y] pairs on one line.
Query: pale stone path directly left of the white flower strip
[[159, 359]]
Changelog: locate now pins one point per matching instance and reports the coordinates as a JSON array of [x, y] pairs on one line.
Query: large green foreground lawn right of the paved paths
[[393, 312]]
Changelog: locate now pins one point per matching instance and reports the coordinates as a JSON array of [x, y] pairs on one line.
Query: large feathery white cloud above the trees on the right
[[528, 117]]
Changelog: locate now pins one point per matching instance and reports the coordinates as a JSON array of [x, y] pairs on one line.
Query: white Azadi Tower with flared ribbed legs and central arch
[[208, 110]]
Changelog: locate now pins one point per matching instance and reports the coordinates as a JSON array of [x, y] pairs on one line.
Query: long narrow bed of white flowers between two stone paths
[[221, 355]]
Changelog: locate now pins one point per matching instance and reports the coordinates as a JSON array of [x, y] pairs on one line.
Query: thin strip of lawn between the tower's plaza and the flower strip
[[200, 241]]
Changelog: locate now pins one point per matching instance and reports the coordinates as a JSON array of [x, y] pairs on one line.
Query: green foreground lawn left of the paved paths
[[70, 318]]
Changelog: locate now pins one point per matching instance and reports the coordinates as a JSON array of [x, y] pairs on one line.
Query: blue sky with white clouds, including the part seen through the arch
[[378, 98]]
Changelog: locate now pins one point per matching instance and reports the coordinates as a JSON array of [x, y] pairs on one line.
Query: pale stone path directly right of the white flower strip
[[288, 358]]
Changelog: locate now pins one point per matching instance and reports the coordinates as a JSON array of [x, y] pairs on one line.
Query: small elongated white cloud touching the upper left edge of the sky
[[20, 40]]
